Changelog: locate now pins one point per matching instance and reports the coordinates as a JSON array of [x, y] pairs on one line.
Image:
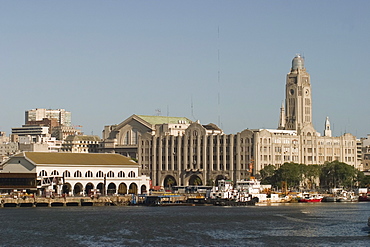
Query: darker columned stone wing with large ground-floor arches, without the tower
[[200, 156]]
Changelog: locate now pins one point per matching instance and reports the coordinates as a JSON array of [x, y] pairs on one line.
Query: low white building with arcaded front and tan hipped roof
[[72, 174]]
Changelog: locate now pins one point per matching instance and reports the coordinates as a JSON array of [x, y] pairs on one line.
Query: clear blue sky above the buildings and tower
[[222, 62]]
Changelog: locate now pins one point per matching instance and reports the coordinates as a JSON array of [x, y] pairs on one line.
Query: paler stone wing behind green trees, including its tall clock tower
[[295, 139]]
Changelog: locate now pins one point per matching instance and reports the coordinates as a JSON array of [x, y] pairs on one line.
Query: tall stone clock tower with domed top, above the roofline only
[[298, 110]]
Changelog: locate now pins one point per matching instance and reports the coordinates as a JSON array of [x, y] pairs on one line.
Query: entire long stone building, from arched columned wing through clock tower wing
[[201, 156]]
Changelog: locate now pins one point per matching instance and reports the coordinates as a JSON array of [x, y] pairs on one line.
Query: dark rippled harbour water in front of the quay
[[296, 224]]
